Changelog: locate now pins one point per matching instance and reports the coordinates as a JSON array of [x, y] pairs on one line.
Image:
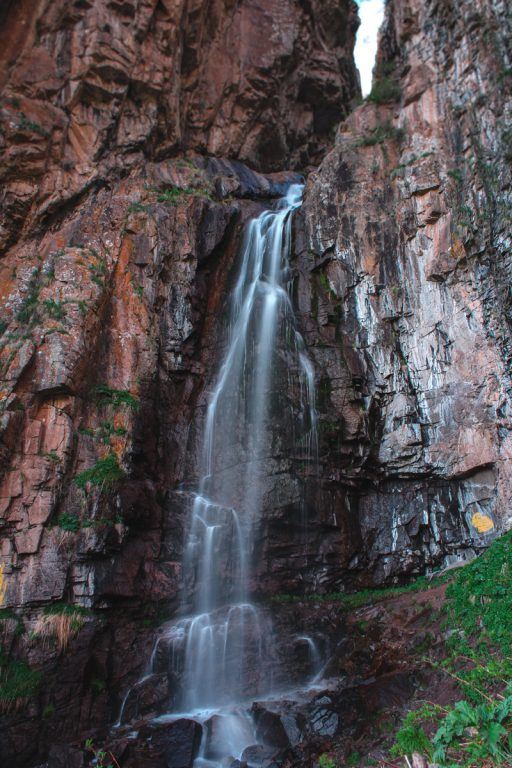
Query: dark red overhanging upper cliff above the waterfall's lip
[[91, 89]]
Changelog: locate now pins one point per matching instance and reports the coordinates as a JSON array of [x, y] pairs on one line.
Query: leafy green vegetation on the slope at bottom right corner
[[477, 729]]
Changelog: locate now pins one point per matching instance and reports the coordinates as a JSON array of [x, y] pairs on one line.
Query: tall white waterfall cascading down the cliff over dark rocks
[[221, 654]]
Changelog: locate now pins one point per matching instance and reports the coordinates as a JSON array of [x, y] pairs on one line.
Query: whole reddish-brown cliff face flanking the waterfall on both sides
[[135, 138]]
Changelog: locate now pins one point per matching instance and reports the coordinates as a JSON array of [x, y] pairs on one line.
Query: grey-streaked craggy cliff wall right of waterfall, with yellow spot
[[404, 290]]
